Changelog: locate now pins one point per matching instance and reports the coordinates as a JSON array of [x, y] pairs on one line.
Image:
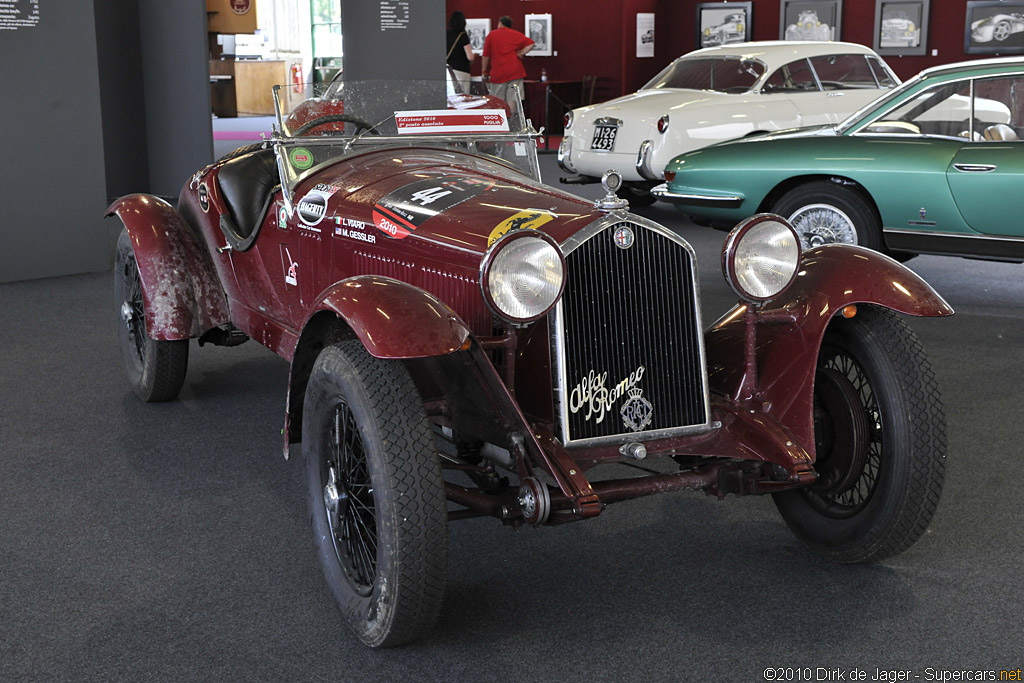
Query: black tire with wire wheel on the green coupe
[[827, 212]]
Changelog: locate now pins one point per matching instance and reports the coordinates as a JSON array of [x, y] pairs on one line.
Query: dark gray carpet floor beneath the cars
[[169, 542]]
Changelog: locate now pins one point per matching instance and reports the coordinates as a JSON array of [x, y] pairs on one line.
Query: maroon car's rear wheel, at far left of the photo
[[156, 370]]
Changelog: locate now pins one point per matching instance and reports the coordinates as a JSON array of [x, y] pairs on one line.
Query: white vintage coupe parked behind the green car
[[715, 95]]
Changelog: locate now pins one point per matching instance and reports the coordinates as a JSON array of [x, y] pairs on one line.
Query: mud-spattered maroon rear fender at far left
[[183, 294]]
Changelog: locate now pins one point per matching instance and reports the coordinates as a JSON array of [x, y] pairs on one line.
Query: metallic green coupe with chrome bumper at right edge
[[935, 166]]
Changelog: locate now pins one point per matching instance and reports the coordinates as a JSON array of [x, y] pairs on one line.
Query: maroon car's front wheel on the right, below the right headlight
[[881, 443]]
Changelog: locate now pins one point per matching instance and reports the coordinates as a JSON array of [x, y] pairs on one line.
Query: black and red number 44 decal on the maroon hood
[[401, 212]]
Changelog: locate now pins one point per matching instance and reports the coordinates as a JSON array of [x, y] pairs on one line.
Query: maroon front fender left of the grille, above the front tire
[[395, 320]]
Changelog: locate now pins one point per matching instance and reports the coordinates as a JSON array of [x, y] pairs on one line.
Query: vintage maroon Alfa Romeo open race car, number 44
[[466, 341]]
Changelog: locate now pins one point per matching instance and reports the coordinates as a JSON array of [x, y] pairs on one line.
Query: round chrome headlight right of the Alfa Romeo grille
[[761, 258]]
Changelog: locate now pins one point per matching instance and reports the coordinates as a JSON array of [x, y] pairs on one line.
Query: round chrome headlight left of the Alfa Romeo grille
[[523, 276]]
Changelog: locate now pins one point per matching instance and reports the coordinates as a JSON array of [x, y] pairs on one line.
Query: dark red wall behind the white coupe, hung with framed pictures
[[599, 37]]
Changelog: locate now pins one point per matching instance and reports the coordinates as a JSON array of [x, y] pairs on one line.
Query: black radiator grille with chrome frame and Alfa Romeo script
[[629, 329]]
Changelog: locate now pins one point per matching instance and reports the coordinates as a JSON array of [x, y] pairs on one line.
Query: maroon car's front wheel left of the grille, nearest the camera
[[365, 434]]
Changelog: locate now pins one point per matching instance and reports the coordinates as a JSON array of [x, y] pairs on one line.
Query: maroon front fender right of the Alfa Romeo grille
[[790, 330]]
